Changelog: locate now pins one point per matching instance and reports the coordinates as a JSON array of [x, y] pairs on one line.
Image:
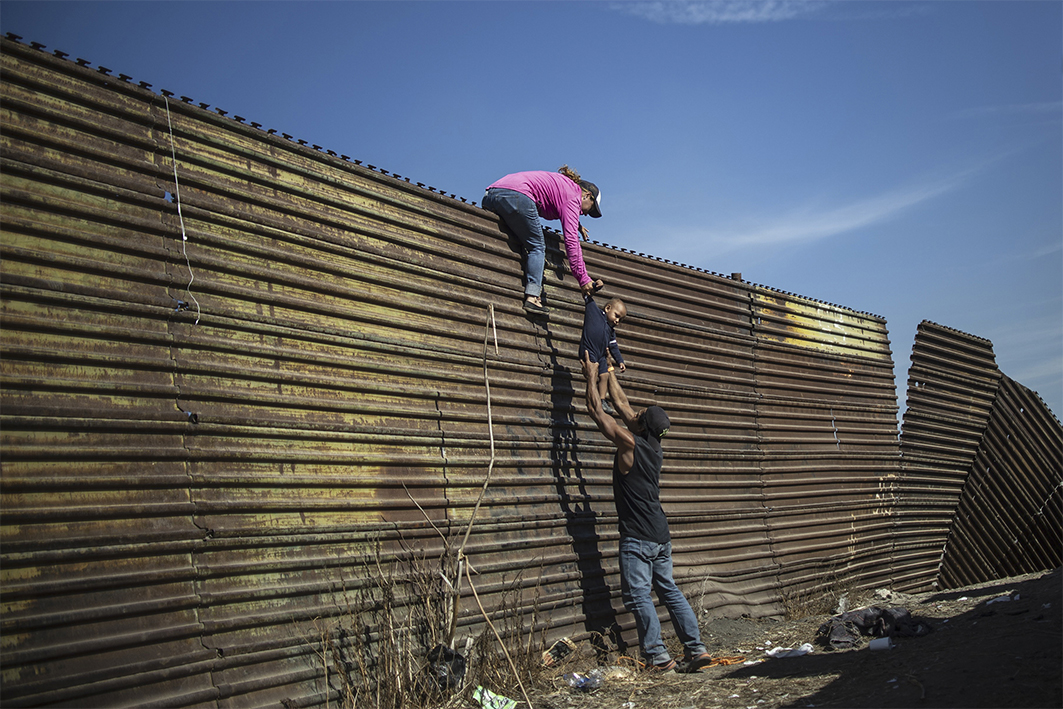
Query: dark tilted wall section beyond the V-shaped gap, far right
[[983, 472]]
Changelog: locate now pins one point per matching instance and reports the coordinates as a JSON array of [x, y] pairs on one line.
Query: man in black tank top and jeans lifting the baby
[[646, 545]]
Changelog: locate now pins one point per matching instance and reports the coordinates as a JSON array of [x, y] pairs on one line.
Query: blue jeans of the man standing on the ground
[[643, 567]]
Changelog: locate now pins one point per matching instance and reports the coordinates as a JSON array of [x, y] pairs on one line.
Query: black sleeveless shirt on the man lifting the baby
[[637, 495]]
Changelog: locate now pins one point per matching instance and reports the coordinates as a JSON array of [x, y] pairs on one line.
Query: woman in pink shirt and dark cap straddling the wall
[[522, 198]]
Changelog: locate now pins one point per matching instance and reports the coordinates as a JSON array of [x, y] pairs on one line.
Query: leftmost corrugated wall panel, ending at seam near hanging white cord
[[96, 497]]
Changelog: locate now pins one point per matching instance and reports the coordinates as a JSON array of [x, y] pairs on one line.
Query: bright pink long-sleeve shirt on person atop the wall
[[556, 197]]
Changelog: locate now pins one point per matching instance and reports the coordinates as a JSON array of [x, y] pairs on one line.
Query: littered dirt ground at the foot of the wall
[[980, 654]]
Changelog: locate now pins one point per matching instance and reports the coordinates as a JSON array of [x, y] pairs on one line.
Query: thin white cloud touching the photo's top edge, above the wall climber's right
[[720, 12]]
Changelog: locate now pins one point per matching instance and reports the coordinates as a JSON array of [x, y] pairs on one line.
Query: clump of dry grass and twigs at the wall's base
[[387, 648]]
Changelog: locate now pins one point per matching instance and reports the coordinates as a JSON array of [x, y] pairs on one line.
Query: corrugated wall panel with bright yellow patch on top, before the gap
[[828, 427]]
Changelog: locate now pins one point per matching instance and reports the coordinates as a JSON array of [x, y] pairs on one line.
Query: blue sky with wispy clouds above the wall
[[903, 159]]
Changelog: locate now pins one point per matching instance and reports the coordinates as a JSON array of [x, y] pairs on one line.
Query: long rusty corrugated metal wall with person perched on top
[[227, 396]]
